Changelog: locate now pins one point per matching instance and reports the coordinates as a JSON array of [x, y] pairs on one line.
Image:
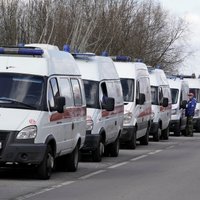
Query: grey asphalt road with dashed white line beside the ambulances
[[165, 170]]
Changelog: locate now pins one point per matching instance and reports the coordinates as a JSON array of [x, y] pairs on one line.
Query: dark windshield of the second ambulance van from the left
[[91, 93]]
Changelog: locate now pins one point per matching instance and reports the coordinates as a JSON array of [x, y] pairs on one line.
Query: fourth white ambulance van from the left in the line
[[161, 104]]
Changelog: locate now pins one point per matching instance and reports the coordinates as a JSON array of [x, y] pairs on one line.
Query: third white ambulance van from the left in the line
[[137, 101]]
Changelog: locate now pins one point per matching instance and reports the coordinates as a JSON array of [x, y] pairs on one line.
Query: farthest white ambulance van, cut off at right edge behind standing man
[[194, 87]]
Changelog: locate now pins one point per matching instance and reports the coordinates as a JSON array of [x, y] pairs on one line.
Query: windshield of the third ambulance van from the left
[[128, 89]]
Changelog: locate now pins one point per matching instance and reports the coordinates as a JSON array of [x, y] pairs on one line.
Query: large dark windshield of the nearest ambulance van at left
[[21, 91]]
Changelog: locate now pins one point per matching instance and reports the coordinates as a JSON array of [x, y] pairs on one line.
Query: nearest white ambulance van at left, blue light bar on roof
[[42, 108]]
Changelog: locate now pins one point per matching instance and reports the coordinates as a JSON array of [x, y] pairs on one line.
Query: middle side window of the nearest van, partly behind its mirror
[[65, 91]]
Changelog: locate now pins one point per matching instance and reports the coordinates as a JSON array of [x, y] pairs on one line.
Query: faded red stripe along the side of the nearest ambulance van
[[69, 113]]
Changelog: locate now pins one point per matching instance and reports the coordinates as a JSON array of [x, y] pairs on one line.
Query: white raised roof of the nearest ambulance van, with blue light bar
[[50, 61]]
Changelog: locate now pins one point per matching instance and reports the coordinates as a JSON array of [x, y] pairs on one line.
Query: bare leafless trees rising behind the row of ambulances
[[137, 28]]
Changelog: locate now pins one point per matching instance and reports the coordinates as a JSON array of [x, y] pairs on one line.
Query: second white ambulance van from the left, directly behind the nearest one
[[104, 126]]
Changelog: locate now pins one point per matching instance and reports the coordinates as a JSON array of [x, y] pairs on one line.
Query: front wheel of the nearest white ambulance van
[[45, 168]]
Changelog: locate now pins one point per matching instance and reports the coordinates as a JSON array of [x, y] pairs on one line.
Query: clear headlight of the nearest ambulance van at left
[[29, 132]]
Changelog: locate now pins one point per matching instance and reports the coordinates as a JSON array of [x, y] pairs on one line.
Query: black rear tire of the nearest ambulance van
[[73, 160]]
